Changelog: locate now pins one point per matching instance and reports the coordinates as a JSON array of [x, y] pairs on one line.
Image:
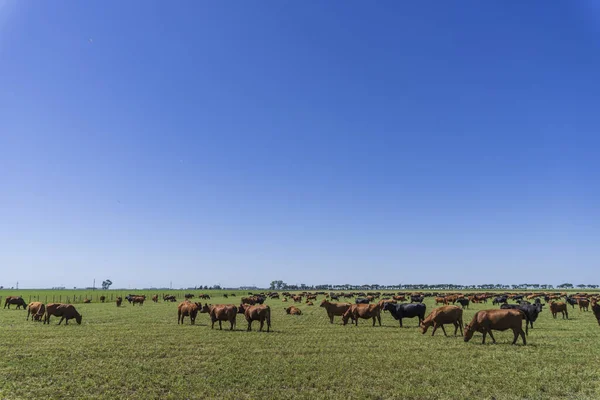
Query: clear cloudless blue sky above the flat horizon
[[310, 141]]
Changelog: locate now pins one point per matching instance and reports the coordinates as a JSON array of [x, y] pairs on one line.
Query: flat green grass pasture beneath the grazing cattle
[[141, 352]]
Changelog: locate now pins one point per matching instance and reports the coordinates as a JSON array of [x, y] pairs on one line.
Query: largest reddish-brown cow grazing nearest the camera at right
[[485, 321]]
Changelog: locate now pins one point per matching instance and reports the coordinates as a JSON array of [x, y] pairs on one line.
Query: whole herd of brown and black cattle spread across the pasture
[[526, 306]]
